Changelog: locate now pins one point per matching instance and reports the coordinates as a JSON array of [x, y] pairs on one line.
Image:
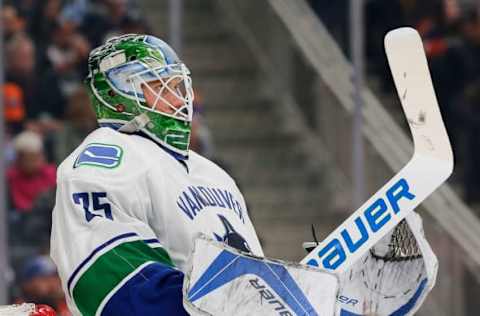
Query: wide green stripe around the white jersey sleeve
[[110, 269]]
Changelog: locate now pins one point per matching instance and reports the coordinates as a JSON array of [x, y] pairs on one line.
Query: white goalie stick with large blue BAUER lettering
[[430, 165]]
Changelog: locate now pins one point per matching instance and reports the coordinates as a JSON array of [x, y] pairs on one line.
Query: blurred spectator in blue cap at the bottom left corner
[[40, 284]]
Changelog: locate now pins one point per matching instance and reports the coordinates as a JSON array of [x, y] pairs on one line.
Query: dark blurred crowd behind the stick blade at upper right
[[450, 30]]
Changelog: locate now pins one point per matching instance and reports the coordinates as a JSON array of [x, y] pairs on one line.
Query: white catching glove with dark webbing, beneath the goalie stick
[[394, 278]]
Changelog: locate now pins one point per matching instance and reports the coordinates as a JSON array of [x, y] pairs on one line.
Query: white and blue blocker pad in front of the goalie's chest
[[221, 280]]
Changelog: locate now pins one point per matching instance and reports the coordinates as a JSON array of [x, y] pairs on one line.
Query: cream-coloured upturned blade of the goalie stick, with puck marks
[[409, 67]]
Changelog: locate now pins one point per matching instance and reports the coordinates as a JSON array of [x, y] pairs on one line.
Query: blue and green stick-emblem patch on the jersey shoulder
[[100, 155]]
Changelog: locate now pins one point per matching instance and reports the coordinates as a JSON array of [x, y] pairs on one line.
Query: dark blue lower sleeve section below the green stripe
[[155, 290]]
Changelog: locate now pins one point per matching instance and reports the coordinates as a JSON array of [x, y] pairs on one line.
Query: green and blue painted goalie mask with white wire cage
[[137, 83]]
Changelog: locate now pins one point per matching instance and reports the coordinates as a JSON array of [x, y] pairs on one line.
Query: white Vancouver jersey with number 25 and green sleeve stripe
[[124, 203]]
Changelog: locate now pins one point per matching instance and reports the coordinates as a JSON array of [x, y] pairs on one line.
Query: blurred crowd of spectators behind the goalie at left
[[48, 114]]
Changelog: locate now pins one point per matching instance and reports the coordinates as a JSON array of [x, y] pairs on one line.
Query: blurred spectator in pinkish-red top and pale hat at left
[[29, 175]]
